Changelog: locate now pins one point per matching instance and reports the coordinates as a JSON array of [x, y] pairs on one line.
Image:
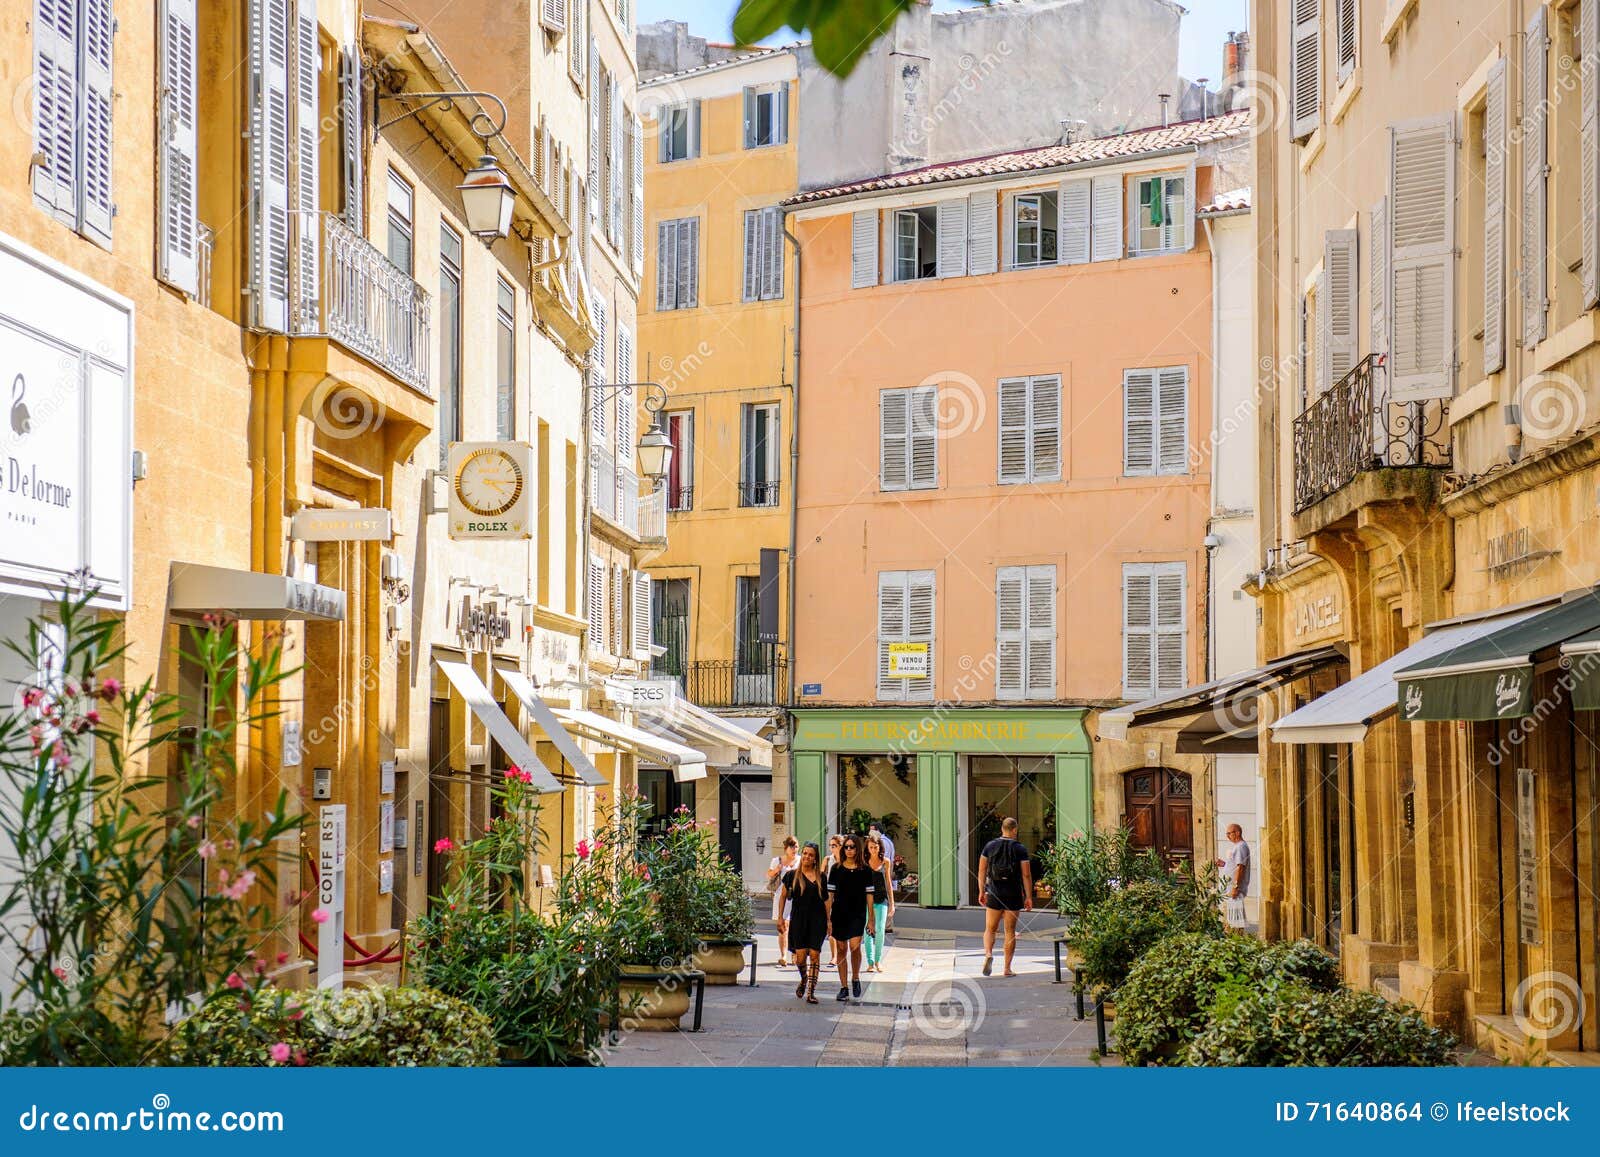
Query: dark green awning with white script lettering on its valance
[[1492, 678]]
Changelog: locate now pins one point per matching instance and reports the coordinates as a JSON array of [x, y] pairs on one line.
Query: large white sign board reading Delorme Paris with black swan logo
[[66, 431]]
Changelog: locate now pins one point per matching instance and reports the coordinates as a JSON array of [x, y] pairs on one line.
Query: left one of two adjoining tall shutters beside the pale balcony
[[270, 161]]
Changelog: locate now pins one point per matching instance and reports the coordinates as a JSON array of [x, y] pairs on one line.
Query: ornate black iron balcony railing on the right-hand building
[[1356, 428]]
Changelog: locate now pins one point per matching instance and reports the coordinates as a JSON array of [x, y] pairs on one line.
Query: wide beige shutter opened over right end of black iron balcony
[[1422, 231]]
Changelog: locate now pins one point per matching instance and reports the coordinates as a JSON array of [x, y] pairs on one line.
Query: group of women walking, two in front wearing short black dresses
[[846, 899]]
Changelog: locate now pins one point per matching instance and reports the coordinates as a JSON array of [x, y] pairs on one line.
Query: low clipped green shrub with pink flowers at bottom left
[[353, 1028]]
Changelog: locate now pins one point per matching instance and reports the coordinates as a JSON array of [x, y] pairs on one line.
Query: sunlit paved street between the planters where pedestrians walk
[[930, 1007]]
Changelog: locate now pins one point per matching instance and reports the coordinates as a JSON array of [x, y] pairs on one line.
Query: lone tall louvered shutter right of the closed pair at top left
[[177, 220]]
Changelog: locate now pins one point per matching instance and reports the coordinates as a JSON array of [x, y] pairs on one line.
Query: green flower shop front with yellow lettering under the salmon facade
[[940, 783]]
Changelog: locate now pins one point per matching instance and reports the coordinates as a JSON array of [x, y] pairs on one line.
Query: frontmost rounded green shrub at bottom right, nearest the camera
[[1292, 1025]]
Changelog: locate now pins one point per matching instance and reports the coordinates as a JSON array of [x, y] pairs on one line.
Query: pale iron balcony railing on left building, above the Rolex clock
[[359, 298]]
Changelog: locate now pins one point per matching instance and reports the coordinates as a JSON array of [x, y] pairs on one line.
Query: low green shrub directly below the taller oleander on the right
[[1116, 932]]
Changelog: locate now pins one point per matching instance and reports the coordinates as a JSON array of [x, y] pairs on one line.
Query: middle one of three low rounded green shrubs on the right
[[1169, 995]]
